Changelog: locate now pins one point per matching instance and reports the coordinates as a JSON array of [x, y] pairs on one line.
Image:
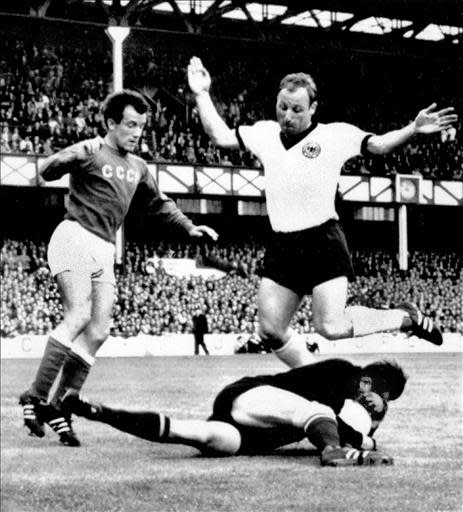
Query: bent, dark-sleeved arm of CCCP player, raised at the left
[[59, 164]]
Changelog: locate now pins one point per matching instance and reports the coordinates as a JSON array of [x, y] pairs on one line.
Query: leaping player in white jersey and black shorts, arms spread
[[308, 253]]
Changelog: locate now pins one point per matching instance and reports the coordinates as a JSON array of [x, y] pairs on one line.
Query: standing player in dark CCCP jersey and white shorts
[[104, 176]]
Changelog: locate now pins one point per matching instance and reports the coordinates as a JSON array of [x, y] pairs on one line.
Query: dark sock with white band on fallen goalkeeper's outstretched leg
[[151, 426]]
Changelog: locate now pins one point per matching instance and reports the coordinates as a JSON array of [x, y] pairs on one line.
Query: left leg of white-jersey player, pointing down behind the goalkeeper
[[277, 306]]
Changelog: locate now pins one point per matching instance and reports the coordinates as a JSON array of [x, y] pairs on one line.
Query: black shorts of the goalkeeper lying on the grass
[[253, 440]]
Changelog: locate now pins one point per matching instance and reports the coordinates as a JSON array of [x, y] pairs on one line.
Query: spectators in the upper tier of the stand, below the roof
[[51, 95]]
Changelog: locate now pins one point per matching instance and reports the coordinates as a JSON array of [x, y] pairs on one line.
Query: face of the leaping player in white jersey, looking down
[[294, 111]]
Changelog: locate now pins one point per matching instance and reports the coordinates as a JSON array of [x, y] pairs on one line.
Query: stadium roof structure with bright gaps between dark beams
[[397, 20]]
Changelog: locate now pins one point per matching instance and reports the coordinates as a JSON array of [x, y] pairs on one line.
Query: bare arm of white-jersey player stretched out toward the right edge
[[427, 121]]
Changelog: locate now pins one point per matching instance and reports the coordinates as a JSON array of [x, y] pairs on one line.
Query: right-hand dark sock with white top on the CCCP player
[[75, 371]]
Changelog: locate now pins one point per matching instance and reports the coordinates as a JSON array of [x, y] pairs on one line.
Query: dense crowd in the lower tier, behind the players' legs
[[157, 303]]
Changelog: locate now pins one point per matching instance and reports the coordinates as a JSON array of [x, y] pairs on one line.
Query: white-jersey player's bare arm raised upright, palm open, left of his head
[[200, 83]]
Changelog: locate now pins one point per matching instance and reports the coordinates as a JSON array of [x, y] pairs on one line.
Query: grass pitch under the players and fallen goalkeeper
[[112, 471]]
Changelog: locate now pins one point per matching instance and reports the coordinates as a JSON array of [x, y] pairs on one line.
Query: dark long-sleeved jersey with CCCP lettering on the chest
[[102, 187]]
